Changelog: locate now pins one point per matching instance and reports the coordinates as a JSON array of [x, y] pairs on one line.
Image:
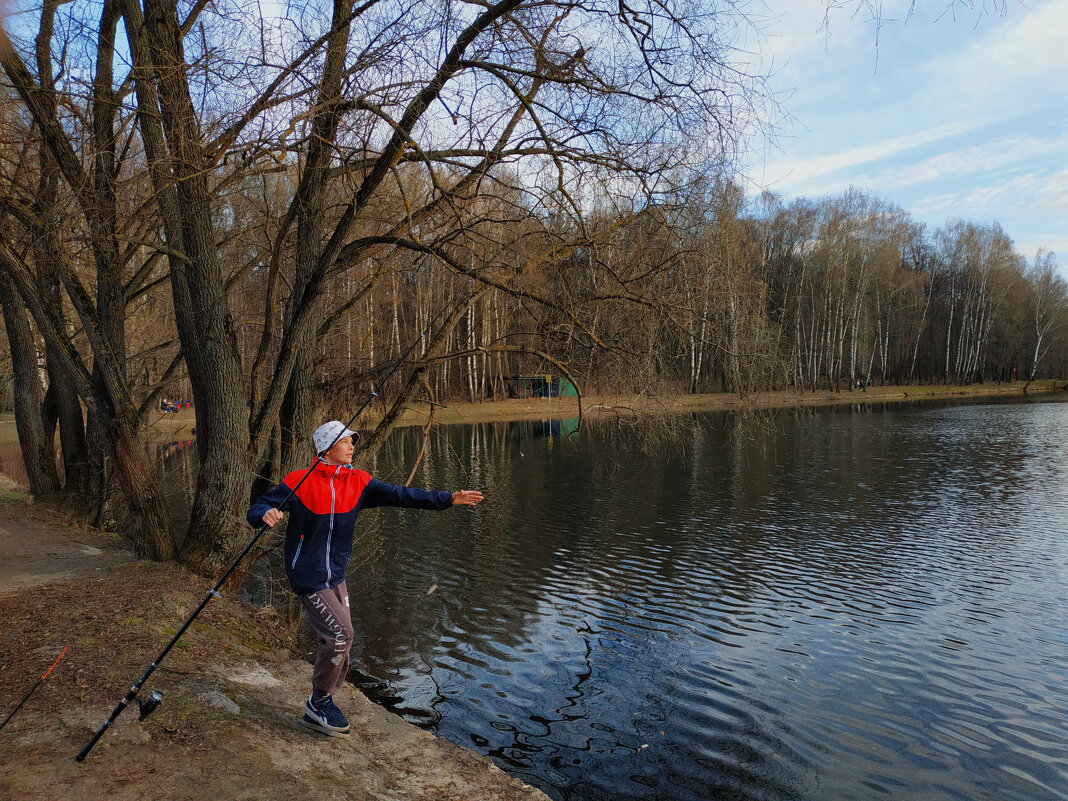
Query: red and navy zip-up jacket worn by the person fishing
[[319, 538]]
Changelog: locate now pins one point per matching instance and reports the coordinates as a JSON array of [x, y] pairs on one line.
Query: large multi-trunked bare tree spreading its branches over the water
[[394, 122]]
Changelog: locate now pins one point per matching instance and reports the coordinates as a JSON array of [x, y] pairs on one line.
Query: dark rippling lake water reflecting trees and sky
[[842, 604]]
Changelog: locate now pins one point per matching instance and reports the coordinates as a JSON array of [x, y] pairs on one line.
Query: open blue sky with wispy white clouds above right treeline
[[951, 113]]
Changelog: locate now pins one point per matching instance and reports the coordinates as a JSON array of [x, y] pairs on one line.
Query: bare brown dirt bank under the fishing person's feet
[[229, 726]]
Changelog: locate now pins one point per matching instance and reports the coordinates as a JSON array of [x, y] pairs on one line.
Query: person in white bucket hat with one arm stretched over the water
[[319, 543]]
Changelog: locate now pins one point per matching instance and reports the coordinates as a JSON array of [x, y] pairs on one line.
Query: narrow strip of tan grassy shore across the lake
[[643, 404]]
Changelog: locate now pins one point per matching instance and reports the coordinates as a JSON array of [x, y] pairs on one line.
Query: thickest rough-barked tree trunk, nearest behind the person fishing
[[206, 328]]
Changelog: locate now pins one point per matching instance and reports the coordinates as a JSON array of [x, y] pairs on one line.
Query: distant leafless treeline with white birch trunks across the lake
[[716, 293]]
